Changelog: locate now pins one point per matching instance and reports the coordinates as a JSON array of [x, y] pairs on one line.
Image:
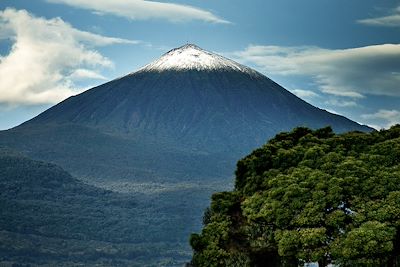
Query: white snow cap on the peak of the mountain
[[192, 57]]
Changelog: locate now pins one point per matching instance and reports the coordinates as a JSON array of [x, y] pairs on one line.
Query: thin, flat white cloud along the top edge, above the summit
[[143, 10]]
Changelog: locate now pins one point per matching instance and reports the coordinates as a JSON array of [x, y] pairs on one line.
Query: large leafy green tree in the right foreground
[[309, 196]]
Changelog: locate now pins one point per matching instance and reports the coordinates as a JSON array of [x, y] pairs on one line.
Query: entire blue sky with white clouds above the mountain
[[342, 56]]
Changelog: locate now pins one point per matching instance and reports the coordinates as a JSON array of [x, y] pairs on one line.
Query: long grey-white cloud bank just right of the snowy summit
[[352, 72]]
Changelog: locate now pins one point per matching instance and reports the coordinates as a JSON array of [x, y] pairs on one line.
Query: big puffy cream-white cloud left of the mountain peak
[[46, 58]]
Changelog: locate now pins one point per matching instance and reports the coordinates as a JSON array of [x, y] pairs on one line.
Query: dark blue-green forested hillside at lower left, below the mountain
[[49, 218]]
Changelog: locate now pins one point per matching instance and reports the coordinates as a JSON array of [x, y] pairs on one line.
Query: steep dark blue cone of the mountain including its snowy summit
[[196, 100]]
